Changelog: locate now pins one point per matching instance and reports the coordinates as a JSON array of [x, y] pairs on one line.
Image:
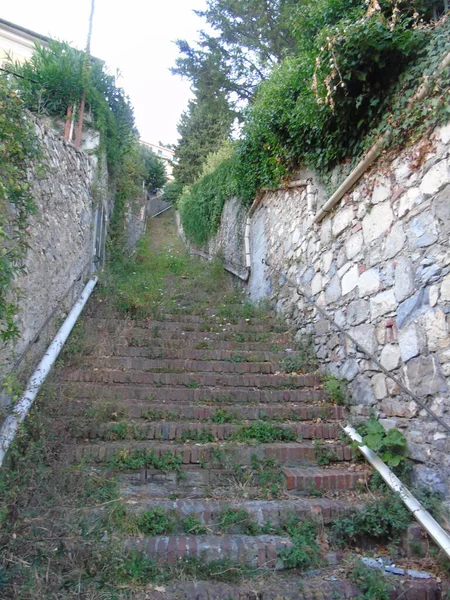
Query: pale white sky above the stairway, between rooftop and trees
[[135, 37]]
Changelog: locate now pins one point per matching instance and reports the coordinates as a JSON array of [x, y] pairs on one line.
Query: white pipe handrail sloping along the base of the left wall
[[11, 424]]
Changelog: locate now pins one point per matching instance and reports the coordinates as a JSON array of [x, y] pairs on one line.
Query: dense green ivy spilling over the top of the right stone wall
[[350, 78]]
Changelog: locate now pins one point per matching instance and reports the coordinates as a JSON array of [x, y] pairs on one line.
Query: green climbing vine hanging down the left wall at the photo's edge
[[19, 148]]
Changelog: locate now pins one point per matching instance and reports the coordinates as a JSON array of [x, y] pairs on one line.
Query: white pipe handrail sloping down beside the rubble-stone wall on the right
[[439, 535]]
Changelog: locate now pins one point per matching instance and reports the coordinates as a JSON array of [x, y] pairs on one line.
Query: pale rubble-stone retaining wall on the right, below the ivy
[[380, 265]]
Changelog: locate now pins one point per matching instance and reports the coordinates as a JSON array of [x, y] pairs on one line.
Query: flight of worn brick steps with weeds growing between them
[[214, 446]]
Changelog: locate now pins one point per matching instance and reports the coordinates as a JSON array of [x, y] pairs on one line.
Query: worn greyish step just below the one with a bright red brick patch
[[259, 512]]
